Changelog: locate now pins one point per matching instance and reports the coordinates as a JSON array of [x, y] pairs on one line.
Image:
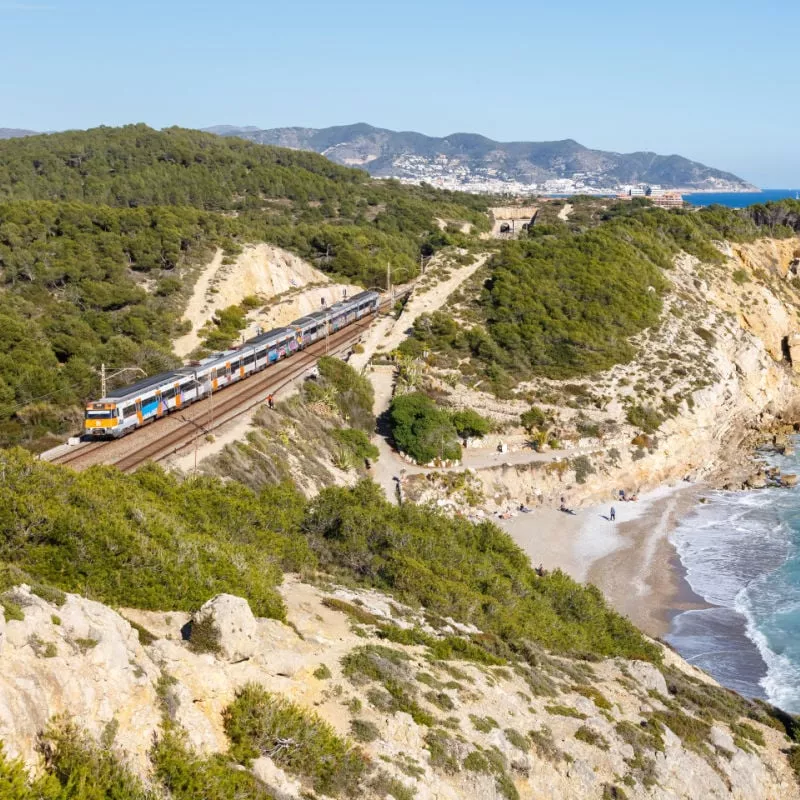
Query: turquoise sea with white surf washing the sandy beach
[[741, 552]]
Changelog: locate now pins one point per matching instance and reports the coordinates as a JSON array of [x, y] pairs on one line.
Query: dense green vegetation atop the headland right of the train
[[566, 301]]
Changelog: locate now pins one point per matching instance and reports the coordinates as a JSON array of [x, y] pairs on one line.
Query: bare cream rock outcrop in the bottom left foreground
[[80, 660]]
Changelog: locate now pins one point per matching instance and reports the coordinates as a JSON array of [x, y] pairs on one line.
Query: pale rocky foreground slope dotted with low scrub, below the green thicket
[[428, 725]]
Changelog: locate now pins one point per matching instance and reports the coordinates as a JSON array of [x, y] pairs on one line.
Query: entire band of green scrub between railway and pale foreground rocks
[[150, 541]]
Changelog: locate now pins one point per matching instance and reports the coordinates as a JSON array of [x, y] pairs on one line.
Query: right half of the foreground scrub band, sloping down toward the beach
[[426, 558]]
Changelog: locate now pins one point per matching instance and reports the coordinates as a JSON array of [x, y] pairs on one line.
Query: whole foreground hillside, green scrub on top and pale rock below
[[466, 674]]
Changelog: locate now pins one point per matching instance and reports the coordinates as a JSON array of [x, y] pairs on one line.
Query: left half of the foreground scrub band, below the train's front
[[148, 540]]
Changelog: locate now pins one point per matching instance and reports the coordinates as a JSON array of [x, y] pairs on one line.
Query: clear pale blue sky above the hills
[[714, 80]]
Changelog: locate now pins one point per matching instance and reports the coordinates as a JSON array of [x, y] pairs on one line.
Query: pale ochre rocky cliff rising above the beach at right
[[717, 369]]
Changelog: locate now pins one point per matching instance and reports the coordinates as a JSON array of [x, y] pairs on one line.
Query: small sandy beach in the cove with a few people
[[630, 560]]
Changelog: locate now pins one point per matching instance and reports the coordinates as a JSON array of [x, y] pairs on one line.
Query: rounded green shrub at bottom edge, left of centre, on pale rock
[[261, 724]]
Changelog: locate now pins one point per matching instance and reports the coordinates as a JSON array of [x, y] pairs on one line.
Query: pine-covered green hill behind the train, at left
[[100, 232]]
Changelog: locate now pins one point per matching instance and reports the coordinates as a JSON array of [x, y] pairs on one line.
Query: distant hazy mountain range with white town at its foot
[[466, 160]]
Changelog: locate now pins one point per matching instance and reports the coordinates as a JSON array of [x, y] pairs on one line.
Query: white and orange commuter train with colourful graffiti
[[130, 407]]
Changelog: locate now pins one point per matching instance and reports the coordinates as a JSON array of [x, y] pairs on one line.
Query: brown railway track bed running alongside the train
[[174, 432]]
